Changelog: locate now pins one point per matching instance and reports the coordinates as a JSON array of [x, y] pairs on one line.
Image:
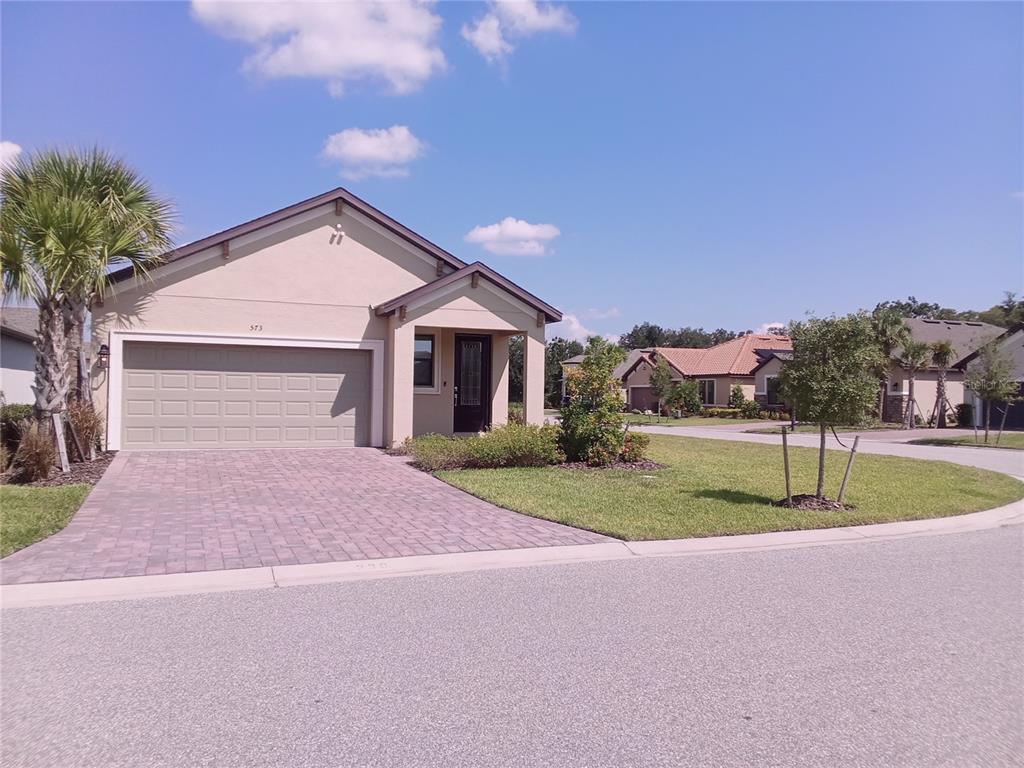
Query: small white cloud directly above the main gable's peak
[[380, 152]]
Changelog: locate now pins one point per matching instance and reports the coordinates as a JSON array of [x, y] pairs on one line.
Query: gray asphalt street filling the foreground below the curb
[[906, 653]]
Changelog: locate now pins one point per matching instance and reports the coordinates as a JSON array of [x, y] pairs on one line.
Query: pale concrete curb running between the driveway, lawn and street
[[132, 588]]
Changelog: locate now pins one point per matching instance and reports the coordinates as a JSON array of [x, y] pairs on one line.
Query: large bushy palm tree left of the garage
[[76, 218]]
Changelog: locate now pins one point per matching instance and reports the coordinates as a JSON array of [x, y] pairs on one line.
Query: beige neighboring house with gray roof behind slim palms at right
[[966, 336]]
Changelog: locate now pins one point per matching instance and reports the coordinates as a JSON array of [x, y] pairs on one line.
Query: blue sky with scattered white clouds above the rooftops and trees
[[718, 165]]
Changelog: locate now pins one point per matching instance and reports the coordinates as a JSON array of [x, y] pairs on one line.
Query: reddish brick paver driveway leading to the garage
[[170, 513]]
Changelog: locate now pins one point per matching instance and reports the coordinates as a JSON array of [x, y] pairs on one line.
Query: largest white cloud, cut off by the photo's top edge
[[392, 40]]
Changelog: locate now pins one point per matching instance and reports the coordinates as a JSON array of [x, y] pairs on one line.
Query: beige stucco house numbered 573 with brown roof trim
[[324, 324]]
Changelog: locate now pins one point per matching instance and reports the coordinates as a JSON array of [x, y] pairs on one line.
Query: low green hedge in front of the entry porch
[[511, 446]]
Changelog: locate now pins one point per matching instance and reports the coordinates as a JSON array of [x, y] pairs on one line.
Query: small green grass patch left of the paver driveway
[[30, 515]]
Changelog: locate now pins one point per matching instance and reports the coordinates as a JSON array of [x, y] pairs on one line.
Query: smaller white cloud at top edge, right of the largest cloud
[[516, 19]]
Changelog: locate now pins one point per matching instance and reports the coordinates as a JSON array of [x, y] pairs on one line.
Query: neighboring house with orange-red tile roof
[[716, 369]]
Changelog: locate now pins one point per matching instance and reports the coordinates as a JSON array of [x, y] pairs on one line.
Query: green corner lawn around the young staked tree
[[714, 488]]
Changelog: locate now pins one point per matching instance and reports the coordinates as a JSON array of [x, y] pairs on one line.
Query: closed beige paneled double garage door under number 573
[[205, 396]]
